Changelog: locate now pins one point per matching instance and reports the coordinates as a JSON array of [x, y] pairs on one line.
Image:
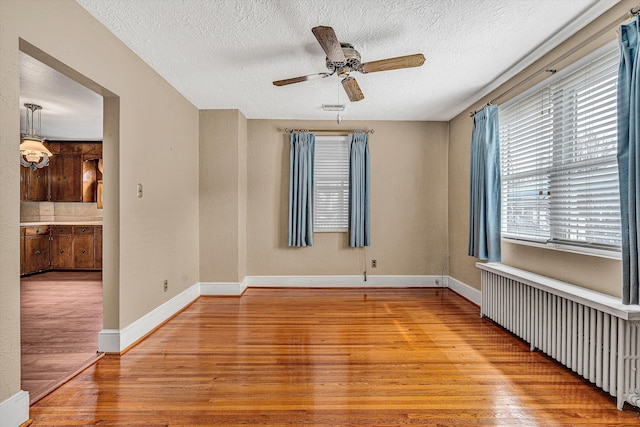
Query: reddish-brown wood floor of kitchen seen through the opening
[[61, 316]]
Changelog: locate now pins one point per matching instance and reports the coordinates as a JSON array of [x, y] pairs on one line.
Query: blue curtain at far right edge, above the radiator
[[629, 157]]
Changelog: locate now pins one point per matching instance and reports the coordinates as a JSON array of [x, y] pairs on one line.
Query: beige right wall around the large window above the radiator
[[601, 274]]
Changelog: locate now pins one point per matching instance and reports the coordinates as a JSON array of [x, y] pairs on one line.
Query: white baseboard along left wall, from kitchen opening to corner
[[117, 340]]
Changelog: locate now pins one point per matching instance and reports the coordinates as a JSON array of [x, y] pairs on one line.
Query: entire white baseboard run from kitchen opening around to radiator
[[118, 340]]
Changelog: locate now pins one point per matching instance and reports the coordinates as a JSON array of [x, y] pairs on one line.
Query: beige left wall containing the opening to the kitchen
[[147, 239]]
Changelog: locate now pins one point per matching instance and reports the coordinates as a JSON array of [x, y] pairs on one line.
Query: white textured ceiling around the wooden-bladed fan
[[226, 53]]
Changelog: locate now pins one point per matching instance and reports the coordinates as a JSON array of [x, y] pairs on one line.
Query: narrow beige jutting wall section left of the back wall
[[223, 195]]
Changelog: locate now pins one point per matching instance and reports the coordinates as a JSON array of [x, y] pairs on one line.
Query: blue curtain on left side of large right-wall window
[[484, 203]]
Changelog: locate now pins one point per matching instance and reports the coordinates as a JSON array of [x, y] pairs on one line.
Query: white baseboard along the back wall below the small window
[[345, 281]]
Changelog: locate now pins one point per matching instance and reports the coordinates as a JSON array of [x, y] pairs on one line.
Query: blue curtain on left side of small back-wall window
[[301, 189]]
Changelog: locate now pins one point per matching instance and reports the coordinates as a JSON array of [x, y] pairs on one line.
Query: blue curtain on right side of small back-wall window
[[359, 191]]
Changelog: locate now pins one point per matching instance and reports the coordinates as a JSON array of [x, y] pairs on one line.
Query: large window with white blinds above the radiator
[[558, 161]]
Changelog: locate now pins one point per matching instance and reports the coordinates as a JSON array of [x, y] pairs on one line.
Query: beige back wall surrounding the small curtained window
[[408, 203]]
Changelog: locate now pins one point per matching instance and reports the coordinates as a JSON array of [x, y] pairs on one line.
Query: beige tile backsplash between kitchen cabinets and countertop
[[50, 211]]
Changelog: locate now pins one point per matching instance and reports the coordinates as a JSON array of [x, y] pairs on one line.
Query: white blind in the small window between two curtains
[[331, 184]]
